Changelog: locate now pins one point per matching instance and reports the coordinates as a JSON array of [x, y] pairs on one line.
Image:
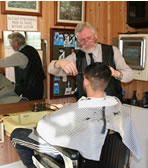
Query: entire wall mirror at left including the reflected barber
[[23, 82]]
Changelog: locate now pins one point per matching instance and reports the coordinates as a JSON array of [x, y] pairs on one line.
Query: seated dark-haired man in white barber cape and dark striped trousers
[[82, 126]]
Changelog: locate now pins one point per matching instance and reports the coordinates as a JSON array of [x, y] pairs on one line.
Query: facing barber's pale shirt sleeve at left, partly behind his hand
[[58, 71]]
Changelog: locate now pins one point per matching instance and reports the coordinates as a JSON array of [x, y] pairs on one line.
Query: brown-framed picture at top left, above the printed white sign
[[32, 8]]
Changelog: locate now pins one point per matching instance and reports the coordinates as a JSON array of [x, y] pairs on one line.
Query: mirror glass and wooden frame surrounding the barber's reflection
[[6, 87]]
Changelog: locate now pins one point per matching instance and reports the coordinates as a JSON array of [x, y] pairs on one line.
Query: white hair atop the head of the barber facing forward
[[81, 26]]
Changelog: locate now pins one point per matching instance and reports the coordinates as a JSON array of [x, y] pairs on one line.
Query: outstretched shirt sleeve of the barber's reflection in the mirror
[[16, 59]]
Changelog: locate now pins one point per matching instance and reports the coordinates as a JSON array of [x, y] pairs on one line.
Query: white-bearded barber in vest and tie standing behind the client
[[90, 52]]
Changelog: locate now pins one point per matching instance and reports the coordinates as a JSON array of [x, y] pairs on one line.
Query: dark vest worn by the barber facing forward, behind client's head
[[114, 86]]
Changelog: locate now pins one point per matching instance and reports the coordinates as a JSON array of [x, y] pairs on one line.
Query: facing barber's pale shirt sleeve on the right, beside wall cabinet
[[122, 66]]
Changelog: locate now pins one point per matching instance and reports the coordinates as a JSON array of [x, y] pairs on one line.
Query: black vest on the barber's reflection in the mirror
[[29, 81]]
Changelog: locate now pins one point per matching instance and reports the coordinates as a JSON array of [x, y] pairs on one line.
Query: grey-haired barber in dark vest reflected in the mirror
[[29, 74]]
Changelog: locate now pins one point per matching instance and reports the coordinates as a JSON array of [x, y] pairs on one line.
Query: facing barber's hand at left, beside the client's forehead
[[68, 67]]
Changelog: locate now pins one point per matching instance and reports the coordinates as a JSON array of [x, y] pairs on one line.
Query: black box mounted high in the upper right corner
[[137, 14]]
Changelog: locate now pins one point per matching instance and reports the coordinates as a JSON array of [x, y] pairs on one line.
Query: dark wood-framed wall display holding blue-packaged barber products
[[63, 43]]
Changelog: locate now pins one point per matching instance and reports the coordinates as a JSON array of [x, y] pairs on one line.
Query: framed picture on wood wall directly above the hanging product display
[[69, 13]]
